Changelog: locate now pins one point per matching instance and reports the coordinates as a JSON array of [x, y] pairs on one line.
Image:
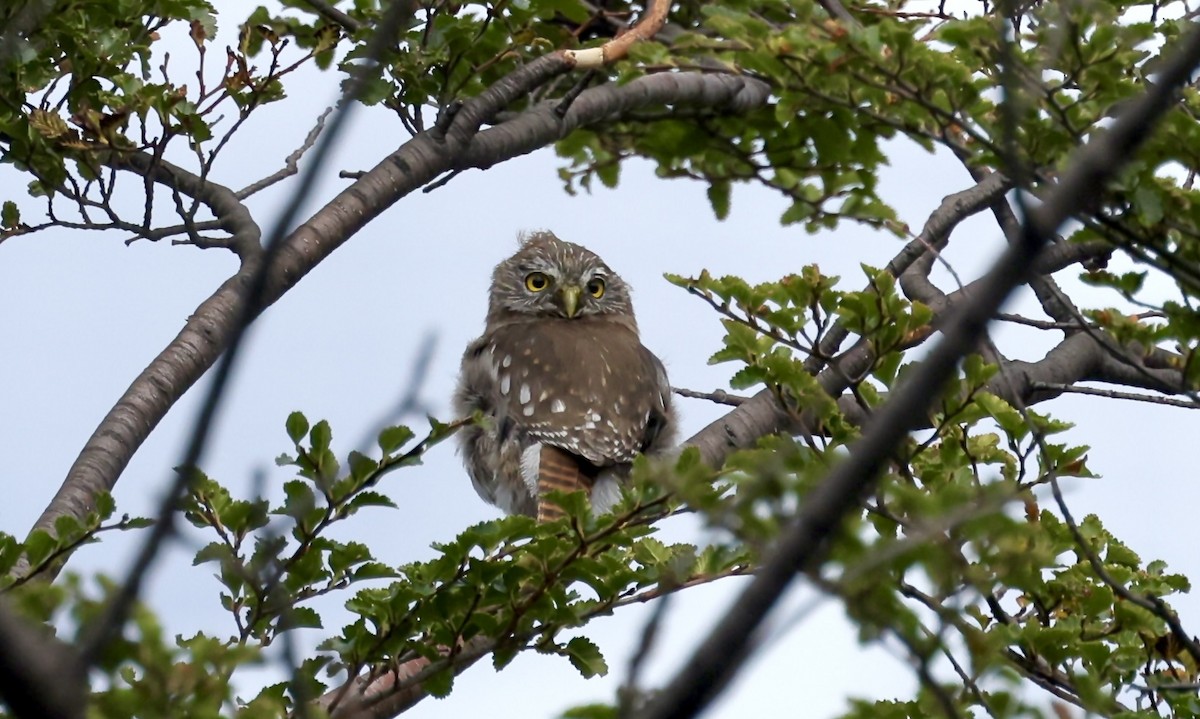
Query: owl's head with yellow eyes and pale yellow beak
[[551, 278]]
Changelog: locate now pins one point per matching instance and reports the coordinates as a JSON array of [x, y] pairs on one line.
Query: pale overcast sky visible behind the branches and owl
[[82, 315]]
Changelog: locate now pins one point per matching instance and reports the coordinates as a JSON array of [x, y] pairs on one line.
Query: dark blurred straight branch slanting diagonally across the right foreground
[[802, 543]]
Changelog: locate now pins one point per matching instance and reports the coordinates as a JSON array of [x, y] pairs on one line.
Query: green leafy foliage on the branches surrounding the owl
[[964, 554]]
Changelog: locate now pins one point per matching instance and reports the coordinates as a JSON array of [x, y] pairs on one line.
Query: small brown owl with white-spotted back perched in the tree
[[568, 392]]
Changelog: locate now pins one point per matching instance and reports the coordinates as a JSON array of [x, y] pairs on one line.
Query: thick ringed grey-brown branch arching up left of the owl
[[416, 164]]
